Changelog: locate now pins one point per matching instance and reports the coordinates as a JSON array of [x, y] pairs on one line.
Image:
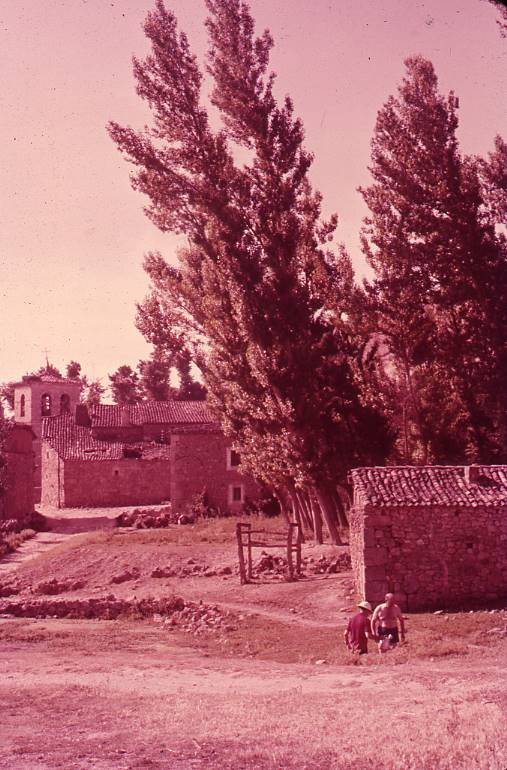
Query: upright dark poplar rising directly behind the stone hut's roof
[[437, 298]]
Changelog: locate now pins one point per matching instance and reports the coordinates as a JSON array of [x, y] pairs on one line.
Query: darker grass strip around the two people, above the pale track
[[431, 638]]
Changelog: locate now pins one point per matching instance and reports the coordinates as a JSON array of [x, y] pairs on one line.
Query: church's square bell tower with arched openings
[[37, 397]]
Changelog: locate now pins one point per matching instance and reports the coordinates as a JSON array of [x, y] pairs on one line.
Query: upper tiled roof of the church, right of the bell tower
[[152, 413]]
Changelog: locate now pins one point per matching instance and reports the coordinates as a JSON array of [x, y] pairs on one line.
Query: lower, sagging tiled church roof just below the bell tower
[[75, 442]]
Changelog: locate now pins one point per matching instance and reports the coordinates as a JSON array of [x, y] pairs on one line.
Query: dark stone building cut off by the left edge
[[17, 502]]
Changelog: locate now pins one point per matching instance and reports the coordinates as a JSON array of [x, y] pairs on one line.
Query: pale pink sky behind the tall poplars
[[73, 232]]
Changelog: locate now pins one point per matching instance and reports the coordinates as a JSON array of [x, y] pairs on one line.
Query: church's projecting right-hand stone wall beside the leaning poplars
[[200, 462]]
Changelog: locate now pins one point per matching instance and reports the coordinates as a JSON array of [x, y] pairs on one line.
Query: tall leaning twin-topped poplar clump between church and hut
[[255, 293]]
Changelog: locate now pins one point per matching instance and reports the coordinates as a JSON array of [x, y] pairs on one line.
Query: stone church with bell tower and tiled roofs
[[140, 454]]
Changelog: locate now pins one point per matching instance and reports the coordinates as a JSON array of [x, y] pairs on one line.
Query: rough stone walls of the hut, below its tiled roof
[[430, 556]]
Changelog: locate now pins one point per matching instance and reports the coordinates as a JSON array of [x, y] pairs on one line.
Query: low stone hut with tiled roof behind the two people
[[434, 536]]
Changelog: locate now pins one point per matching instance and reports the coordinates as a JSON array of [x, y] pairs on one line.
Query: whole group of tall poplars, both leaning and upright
[[309, 372]]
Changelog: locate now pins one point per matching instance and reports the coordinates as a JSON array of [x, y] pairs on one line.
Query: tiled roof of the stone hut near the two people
[[430, 485]]
